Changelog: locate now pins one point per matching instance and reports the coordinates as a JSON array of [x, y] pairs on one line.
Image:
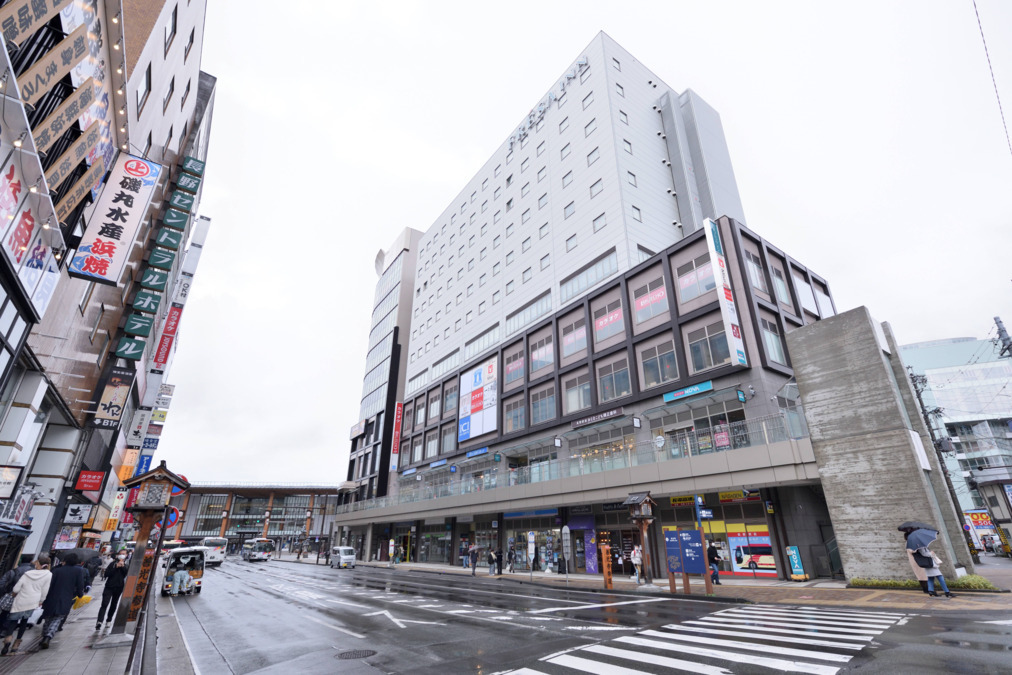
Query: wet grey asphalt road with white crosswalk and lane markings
[[275, 618]]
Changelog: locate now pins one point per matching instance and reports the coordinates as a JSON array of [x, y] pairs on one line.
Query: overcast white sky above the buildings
[[866, 139]]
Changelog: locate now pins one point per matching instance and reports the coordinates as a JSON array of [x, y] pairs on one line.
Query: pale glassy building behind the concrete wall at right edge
[[966, 380]]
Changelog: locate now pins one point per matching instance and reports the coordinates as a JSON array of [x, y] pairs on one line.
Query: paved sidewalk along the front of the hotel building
[[740, 589]]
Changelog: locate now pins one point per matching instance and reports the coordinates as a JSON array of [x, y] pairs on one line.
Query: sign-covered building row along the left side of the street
[[117, 116]]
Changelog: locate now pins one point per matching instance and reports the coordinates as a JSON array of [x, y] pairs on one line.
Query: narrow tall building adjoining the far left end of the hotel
[[383, 386]]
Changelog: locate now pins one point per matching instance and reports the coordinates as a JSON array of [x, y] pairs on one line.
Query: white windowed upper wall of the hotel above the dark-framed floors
[[445, 317]]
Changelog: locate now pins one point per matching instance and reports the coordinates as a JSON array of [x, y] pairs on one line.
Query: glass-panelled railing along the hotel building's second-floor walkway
[[750, 434]]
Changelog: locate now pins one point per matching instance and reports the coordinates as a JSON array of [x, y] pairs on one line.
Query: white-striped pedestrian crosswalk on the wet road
[[741, 639]]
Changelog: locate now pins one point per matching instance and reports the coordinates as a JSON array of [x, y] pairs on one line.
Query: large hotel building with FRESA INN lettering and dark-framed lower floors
[[592, 317]]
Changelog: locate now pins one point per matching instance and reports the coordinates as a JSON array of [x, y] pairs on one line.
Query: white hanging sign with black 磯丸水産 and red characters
[[120, 211]]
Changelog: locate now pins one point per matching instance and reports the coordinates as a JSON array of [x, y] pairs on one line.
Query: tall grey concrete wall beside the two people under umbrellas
[[874, 454]]
